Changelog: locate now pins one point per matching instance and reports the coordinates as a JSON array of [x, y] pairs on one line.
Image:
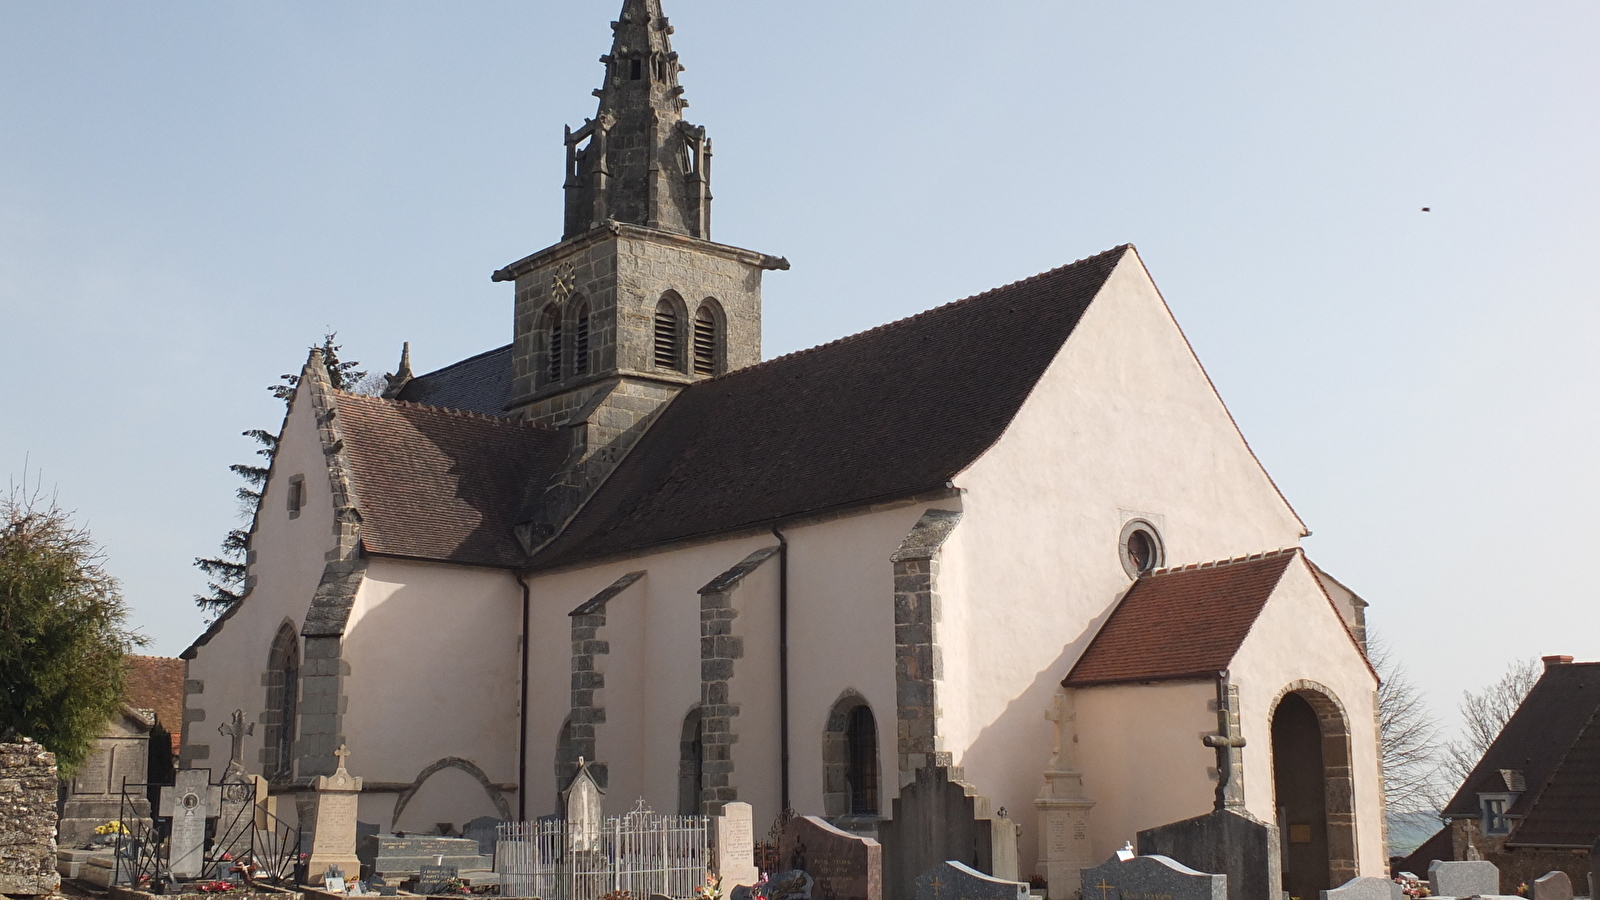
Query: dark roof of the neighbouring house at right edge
[[1535, 739]]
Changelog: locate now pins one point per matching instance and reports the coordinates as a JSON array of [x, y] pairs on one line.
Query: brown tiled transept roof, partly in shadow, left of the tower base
[[442, 484]]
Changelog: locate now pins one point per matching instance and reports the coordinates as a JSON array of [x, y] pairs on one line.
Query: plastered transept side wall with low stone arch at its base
[[433, 654]]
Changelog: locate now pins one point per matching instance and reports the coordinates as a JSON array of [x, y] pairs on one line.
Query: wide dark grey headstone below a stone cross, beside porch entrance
[[1226, 842]]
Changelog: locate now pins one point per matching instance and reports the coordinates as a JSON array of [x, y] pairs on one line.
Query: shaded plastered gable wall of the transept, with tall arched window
[[289, 563]]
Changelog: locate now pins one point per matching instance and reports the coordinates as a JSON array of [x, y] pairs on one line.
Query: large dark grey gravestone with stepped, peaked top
[[940, 818]]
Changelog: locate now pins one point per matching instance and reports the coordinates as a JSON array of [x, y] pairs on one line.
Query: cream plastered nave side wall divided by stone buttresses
[[841, 640]]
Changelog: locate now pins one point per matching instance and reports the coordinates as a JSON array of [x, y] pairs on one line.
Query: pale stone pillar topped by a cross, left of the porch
[[1063, 806]]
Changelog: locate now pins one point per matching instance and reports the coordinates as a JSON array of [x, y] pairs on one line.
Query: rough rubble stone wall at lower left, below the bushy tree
[[28, 819]]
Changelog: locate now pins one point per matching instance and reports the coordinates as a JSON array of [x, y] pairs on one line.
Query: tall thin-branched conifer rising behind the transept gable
[[226, 573]]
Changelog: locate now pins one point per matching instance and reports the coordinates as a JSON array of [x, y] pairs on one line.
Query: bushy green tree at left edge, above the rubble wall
[[62, 632]]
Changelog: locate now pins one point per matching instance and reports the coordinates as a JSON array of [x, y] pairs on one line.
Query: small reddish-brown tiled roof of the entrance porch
[[1182, 624]]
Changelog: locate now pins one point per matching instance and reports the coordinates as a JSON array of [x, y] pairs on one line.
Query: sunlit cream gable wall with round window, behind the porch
[[1122, 425]]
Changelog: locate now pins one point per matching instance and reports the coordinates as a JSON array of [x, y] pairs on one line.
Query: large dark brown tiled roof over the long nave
[[892, 412]]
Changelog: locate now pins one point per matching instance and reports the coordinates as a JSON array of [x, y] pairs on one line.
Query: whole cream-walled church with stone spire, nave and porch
[[1015, 534]]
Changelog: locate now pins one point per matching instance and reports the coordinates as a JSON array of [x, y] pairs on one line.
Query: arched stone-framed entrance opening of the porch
[[1314, 790]]
